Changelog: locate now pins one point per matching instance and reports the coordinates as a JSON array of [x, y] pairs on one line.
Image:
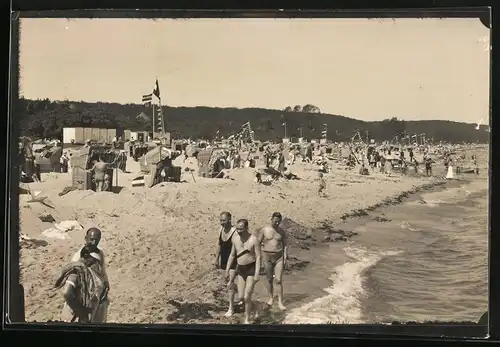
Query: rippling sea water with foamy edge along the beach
[[428, 262]]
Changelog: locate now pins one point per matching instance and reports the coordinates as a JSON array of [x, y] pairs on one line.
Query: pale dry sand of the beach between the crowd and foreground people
[[159, 241]]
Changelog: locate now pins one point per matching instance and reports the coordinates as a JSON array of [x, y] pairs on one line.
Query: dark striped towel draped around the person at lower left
[[91, 283]]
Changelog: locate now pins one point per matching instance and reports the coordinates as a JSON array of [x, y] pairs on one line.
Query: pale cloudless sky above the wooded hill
[[412, 69]]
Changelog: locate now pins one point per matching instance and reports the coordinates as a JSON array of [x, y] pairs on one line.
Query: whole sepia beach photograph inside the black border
[[254, 171]]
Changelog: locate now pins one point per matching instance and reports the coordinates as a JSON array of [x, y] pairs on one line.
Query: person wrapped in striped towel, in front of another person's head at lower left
[[84, 290]]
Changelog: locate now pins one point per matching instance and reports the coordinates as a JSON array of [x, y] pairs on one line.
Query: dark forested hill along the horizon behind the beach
[[45, 118]]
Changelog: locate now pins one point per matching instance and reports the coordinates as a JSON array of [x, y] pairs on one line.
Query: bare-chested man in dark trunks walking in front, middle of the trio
[[246, 249]]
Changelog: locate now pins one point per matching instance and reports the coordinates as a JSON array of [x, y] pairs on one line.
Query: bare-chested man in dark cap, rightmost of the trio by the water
[[274, 255]]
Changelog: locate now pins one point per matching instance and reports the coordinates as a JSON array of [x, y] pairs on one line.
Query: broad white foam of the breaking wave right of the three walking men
[[342, 305]]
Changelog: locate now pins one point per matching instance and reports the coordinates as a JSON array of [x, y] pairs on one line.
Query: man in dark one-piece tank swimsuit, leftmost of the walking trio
[[223, 250]]
